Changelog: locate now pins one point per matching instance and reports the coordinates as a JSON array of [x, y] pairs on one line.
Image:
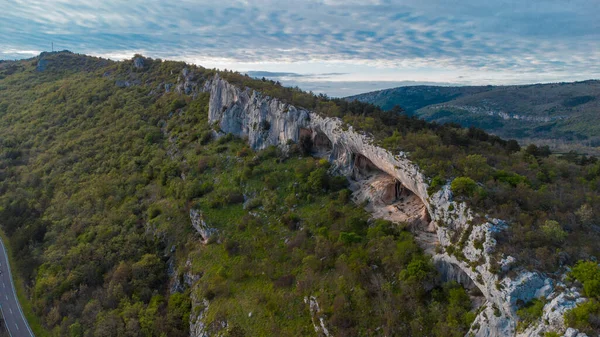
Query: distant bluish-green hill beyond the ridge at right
[[563, 115]]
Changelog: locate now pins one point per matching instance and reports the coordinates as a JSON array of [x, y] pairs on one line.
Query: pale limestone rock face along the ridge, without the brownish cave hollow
[[266, 121]]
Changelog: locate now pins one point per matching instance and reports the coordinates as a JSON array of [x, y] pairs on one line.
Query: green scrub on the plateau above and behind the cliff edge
[[526, 187]]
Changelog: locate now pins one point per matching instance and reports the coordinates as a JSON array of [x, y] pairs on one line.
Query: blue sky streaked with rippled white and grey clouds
[[338, 47]]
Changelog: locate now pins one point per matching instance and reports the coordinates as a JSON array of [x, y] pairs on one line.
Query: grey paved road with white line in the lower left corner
[[11, 309]]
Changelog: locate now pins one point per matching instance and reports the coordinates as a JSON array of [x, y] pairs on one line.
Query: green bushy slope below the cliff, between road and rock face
[[97, 179]]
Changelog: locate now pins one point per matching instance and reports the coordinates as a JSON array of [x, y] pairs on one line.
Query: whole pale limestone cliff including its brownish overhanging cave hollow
[[395, 189]]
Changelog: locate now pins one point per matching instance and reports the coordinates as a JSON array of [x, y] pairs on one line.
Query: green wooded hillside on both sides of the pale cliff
[[102, 163]]
